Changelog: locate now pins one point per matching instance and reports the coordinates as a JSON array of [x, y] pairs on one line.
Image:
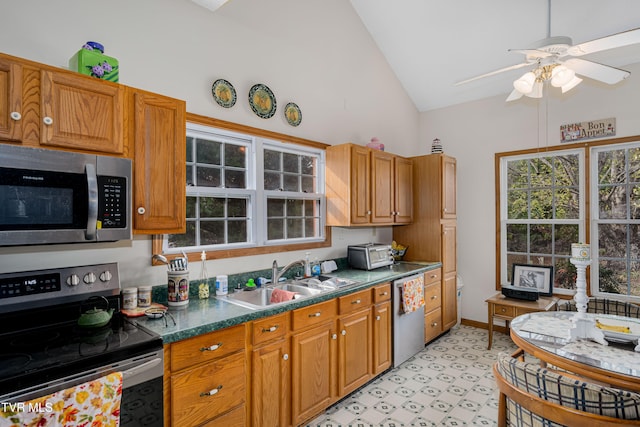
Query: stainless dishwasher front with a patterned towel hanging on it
[[408, 328]]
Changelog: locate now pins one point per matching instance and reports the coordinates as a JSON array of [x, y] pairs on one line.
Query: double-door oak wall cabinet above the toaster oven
[[367, 187]]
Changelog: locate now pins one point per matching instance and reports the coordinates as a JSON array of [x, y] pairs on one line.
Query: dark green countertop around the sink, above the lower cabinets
[[206, 315]]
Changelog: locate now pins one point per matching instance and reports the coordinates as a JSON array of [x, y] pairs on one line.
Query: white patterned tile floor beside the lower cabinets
[[449, 383]]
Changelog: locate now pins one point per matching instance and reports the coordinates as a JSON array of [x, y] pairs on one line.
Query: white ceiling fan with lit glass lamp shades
[[556, 59]]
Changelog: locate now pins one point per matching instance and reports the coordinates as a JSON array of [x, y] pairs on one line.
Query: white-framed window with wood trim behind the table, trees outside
[[542, 210]]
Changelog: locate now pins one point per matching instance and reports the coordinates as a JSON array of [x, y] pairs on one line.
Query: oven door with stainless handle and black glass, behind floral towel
[[142, 389]]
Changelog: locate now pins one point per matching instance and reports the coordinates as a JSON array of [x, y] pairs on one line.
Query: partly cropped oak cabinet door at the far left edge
[[10, 100]]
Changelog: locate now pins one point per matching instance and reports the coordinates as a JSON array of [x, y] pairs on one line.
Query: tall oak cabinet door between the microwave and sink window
[[158, 132]]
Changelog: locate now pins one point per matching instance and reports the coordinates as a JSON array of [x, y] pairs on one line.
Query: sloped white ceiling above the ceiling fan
[[432, 44]]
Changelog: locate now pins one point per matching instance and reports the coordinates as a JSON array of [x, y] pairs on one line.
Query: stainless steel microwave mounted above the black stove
[[49, 196]]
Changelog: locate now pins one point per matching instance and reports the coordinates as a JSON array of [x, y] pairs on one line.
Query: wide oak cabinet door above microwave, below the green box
[[81, 113]]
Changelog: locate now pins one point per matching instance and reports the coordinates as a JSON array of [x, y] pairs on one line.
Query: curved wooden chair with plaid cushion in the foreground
[[532, 396]]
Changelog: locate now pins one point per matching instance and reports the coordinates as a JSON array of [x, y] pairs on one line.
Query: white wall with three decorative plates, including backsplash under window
[[315, 53]]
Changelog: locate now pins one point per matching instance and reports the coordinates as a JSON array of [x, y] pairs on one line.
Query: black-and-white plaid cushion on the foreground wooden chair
[[565, 391]]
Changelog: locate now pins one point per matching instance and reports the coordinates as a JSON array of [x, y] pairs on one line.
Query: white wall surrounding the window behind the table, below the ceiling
[[474, 132]]
